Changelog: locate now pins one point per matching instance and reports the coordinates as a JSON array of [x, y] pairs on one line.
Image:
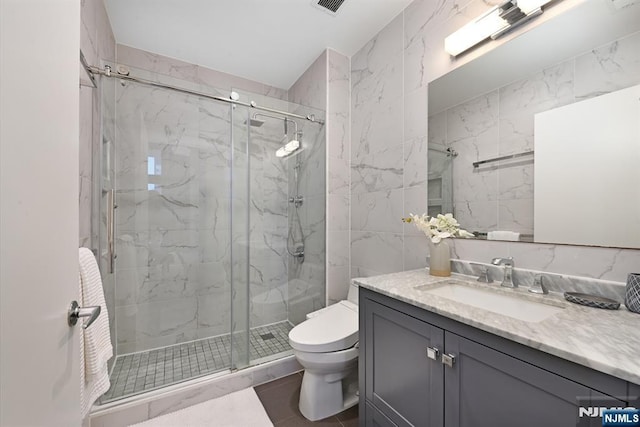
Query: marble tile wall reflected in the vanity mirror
[[501, 122]]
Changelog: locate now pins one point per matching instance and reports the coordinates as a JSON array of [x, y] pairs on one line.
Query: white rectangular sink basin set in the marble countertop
[[494, 301]]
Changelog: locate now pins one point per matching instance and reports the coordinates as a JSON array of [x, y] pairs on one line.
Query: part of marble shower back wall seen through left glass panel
[[172, 221]]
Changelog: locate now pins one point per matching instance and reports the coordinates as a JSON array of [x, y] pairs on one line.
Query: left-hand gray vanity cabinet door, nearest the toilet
[[403, 383]]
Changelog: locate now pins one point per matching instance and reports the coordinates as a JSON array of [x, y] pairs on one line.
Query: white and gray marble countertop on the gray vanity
[[604, 340]]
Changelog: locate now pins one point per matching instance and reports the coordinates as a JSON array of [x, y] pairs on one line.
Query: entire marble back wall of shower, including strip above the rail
[[173, 215]]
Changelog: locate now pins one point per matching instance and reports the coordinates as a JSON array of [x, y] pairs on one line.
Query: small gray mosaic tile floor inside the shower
[[140, 372]]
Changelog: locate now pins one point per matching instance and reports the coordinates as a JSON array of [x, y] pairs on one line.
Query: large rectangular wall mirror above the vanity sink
[[482, 116]]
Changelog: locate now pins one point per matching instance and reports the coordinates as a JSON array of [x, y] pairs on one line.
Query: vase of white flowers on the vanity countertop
[[438, 229]]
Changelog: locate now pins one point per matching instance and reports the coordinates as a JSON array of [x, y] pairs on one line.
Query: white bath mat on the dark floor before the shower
[[242, 408]]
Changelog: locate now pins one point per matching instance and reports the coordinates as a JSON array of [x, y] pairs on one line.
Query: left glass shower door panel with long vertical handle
[[171, 168]]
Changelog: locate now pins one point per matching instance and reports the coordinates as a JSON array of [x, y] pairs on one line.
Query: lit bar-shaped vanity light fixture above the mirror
[[493, 24]]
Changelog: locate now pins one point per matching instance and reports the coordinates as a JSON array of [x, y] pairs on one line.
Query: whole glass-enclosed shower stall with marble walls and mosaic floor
[[212, 227]]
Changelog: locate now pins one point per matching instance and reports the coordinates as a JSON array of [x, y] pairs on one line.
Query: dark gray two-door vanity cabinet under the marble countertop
[[489, 383]]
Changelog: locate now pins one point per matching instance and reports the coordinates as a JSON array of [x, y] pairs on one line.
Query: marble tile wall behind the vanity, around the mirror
[[389, 81]]
